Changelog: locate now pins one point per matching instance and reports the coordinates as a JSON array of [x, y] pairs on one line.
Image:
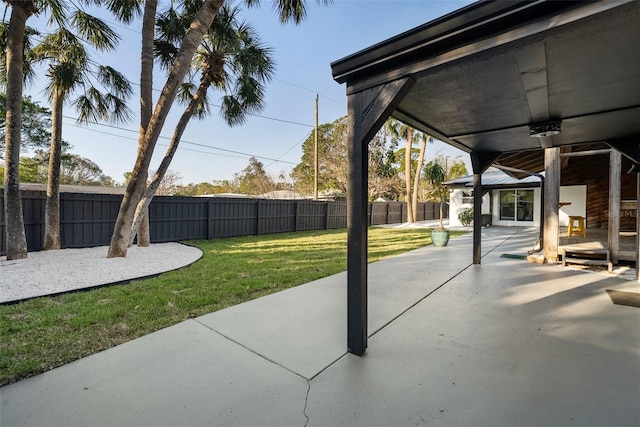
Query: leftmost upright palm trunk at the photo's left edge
[[16, 240]]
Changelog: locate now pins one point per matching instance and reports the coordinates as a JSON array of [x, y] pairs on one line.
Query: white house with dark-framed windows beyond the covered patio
[[509, 201]]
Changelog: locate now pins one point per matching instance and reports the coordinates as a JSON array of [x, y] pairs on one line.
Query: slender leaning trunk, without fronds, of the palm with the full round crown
[[145, 201]]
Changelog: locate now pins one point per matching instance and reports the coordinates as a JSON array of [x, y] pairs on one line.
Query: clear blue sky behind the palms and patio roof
[[211, 150]]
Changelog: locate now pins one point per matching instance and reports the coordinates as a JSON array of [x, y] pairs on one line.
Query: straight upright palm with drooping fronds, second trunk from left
[[70, 68]]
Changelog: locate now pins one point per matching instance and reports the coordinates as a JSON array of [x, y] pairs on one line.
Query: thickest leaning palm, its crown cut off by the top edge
[[293, 10]]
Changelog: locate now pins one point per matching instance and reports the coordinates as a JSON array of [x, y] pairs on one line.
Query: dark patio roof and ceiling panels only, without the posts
[[483, 74]]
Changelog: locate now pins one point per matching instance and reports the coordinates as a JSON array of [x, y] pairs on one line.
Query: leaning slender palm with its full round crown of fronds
[[231, 59]]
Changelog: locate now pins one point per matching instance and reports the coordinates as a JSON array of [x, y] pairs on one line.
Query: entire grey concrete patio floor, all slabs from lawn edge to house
[[451, 344]]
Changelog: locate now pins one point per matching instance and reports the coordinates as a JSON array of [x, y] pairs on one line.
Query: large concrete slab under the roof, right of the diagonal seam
[[505, 343]]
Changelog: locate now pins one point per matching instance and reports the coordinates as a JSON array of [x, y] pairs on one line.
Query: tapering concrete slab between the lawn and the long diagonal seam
[[305, 328]]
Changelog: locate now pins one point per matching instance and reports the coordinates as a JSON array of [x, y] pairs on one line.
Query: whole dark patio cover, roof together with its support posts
[[484, 79]]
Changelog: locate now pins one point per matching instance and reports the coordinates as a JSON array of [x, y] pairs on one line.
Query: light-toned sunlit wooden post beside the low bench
[[551, 202]]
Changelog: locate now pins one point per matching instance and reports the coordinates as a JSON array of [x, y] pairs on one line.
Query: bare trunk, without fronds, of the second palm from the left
[[52, 206]]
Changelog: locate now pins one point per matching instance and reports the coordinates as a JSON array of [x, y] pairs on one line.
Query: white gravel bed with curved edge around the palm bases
[[52, 272]]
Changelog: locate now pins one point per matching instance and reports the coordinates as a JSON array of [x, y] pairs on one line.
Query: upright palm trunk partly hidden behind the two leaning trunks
[[146, 98]]
